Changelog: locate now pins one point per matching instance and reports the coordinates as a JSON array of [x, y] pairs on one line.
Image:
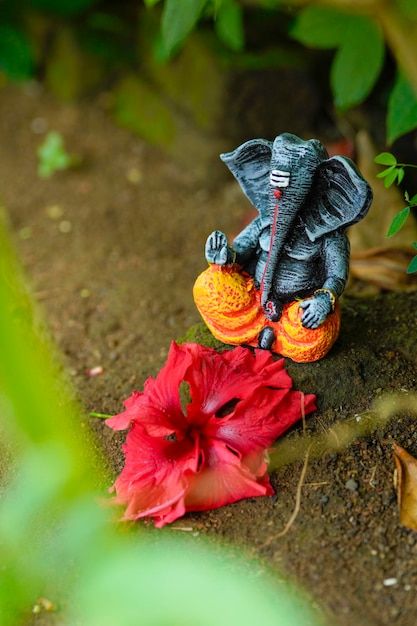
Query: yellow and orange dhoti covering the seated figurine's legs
[[230, 305]]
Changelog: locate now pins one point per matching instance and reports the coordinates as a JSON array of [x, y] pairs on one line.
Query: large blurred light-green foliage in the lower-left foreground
[[57, 539]]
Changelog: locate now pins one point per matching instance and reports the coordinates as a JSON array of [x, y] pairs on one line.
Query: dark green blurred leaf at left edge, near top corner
[[16, 54]]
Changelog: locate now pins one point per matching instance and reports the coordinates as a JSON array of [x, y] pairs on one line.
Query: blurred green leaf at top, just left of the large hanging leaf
[[320, 27]]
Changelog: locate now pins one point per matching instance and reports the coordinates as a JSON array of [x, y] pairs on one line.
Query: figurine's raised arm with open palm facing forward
[[218, 251]]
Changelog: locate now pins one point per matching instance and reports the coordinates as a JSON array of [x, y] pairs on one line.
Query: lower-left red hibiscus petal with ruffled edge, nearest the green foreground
[[156, 476]]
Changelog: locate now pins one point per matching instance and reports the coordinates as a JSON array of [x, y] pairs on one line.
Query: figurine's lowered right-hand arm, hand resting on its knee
[[336, 268]]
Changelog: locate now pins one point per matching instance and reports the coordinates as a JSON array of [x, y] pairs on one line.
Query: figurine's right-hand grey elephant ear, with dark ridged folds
[[339, 197]]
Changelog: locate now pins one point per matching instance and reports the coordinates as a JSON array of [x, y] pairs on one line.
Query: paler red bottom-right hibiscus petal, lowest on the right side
[[226, 478]]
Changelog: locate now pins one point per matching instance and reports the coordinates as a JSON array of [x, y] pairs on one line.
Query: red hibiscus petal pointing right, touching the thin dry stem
[[259, 420]]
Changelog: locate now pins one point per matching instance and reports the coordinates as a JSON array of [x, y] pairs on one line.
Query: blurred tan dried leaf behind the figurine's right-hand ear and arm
[[375, 259]]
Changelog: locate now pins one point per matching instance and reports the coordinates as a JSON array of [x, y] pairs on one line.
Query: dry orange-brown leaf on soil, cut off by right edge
[[406, 485]]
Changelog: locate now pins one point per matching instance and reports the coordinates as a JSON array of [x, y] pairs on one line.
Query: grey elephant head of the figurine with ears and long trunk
[[291, 178]]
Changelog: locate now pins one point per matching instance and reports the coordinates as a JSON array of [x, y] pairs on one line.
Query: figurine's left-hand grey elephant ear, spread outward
[[250, 164]]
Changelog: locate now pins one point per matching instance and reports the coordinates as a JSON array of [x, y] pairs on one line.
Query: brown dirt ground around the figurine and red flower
[[112, 251]]
